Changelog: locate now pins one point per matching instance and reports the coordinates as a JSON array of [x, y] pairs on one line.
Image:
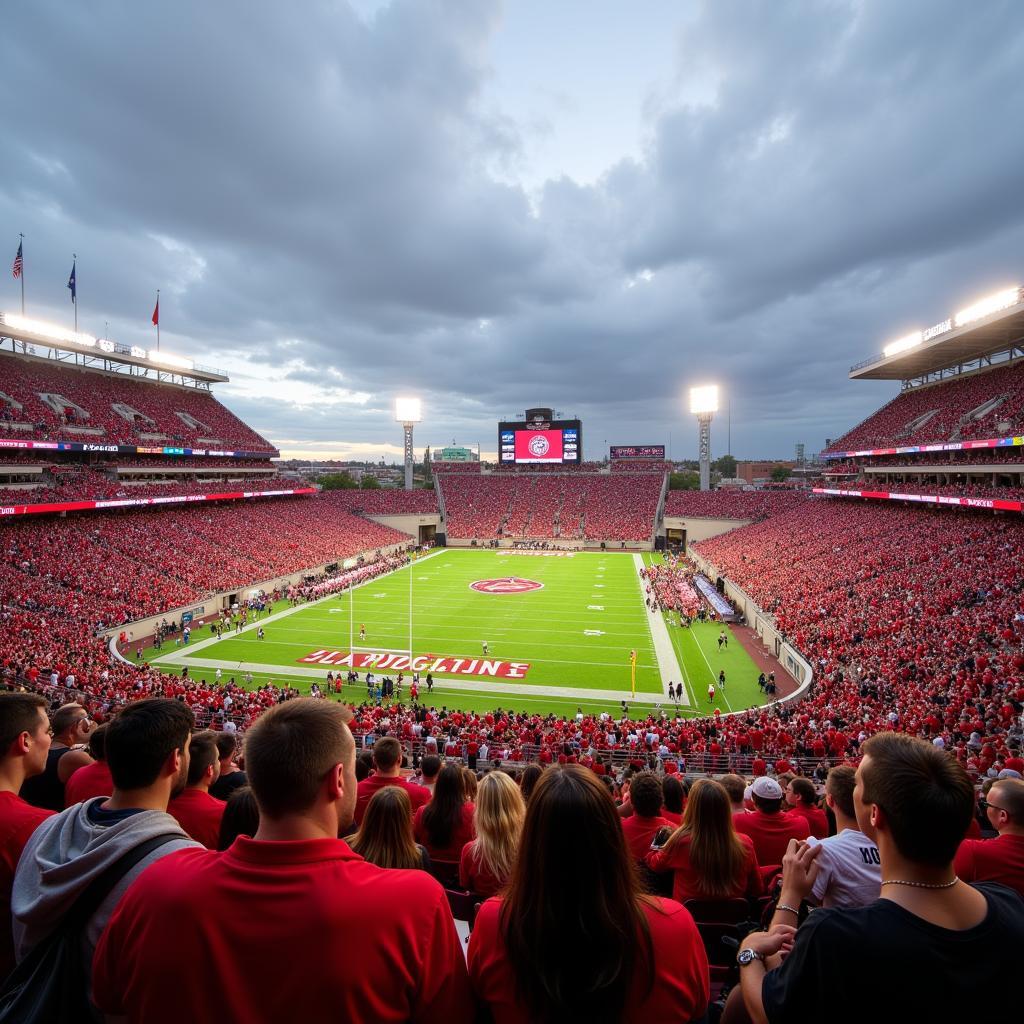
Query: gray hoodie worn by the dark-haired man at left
[[66, 854]]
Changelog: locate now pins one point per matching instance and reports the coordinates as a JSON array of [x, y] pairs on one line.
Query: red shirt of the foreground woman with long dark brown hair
[[681, 985]]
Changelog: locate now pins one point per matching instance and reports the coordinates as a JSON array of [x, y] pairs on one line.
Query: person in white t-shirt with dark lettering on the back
[[849, 867]]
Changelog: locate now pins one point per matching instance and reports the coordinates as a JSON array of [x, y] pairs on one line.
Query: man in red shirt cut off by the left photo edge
[[25, 742]]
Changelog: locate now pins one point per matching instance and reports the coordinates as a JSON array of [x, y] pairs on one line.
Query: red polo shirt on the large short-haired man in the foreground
[[194, 941]]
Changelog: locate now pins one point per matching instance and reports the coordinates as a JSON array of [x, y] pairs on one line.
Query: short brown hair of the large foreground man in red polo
[[291, 749]]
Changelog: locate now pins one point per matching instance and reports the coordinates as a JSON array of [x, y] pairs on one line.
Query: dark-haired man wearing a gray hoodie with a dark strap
[[148, 752]]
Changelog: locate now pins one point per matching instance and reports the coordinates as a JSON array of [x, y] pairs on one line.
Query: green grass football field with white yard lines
[[574, 634]]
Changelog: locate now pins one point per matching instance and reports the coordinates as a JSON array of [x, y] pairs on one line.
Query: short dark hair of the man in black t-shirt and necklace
[[926, 795]]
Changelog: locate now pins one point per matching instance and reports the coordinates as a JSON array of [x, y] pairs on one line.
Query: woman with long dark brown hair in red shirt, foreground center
[[644, 960]]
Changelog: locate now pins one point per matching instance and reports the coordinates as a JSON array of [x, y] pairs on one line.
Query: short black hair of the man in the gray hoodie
[[143, 737]]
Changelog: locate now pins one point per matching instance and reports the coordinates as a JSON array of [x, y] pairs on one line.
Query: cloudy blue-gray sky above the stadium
[[584, 204]]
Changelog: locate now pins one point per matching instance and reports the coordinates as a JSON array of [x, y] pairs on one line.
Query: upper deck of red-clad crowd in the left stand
[[82, 408]]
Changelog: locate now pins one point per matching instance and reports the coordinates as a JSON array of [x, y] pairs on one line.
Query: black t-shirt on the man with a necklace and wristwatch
[[883, 963]]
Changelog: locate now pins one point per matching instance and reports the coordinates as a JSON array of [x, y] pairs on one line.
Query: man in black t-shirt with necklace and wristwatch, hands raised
[[918, 945]]
